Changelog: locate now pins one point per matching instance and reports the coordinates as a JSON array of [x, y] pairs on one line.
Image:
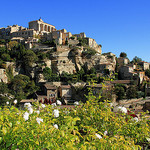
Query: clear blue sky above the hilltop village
[[118, 25]]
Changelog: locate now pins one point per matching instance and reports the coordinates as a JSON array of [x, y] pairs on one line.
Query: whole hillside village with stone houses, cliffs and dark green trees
[[43, 63]]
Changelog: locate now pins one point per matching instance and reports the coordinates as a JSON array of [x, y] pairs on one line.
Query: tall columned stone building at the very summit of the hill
[[41, 26]]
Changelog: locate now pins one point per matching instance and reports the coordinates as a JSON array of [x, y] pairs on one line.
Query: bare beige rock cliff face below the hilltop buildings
[[72, 59]]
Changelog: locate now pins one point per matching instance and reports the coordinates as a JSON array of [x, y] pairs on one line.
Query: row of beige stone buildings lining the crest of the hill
[[38, 29]]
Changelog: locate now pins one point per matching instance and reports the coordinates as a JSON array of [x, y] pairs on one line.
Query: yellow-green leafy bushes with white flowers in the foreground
[[89, 126]]
